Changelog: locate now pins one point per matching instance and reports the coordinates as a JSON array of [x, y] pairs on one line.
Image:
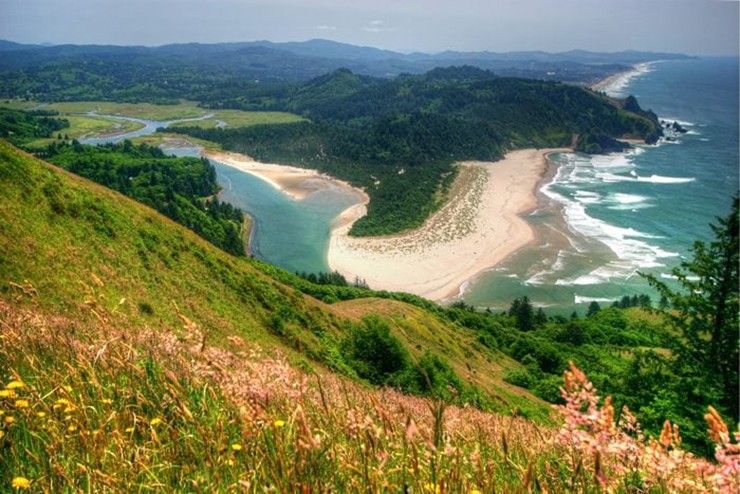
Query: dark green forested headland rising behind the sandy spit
[[397, 138]]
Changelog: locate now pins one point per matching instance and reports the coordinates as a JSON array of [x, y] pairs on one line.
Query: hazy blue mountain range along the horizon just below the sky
[[296, 61]]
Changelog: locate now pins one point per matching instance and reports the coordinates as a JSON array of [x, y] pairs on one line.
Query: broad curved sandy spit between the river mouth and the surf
[[478, 228]]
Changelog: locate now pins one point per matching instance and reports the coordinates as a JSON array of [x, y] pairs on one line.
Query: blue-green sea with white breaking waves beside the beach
[[603, 220]]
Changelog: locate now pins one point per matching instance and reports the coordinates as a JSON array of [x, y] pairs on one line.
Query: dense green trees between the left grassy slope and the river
[[182, 189]]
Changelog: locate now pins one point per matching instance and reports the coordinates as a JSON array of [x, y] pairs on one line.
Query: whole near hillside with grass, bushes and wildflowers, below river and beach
[[135, 356]]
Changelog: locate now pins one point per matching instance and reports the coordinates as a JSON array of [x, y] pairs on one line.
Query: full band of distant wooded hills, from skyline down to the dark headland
[[204, 72]]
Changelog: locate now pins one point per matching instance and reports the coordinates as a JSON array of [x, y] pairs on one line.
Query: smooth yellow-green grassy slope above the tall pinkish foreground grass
[[77, 244]]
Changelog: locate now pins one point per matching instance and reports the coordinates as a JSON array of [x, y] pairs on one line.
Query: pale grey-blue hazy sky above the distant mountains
[[695, 27]]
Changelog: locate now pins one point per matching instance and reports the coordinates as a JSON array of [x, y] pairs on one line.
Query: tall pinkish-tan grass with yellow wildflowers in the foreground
[[108, 407]]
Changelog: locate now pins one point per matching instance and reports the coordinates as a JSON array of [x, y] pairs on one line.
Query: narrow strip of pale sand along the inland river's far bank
[[297, 183]]
